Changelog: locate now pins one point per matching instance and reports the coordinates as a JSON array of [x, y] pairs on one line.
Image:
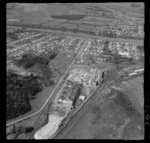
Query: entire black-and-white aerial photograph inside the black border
[[75, 71]]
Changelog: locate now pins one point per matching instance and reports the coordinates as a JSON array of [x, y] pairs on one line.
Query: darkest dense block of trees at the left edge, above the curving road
[[20, 90]]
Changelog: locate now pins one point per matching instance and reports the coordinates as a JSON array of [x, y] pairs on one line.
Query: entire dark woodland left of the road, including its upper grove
[[21, 89]]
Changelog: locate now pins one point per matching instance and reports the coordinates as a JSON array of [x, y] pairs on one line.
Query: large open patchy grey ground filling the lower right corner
[[114, 116]]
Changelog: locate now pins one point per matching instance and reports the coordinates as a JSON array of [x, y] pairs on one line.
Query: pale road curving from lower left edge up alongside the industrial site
[[52, 94]]
